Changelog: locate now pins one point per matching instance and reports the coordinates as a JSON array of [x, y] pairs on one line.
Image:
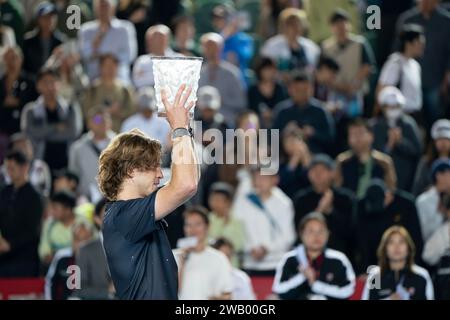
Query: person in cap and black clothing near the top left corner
[[40, 43]]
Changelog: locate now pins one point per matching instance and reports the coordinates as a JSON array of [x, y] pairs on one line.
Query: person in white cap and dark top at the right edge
[[439, 148]]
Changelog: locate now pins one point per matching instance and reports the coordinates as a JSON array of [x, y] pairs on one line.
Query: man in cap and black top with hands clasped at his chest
[[336, 204]]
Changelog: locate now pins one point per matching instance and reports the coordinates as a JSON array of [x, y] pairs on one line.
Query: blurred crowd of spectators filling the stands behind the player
[[363, 116]]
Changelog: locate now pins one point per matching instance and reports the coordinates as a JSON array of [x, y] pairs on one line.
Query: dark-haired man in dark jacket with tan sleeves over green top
[[357, 166]]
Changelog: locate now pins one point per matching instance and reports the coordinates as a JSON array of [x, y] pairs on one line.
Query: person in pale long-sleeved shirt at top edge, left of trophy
[[107, 34]]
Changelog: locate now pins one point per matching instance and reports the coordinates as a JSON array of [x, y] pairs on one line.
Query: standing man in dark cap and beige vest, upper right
[[356, 61]]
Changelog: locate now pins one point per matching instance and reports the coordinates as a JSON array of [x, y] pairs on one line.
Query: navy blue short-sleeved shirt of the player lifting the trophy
[[139, 256]]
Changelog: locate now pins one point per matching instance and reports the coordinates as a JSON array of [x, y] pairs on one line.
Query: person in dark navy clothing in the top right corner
[[435, 61]]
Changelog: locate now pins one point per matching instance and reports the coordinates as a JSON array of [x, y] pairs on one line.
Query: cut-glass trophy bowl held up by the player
[[170, 73]]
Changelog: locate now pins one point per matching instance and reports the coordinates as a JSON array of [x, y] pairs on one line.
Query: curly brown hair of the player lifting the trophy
[[127, 152]]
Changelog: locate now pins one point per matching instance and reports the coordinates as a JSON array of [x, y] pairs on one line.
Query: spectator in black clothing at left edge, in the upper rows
[[16, 89]]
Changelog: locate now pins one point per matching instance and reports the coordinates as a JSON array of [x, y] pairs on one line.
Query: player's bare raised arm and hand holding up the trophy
[[185, 172]]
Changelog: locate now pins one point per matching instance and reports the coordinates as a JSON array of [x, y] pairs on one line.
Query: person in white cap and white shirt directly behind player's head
[[147, 118]]
